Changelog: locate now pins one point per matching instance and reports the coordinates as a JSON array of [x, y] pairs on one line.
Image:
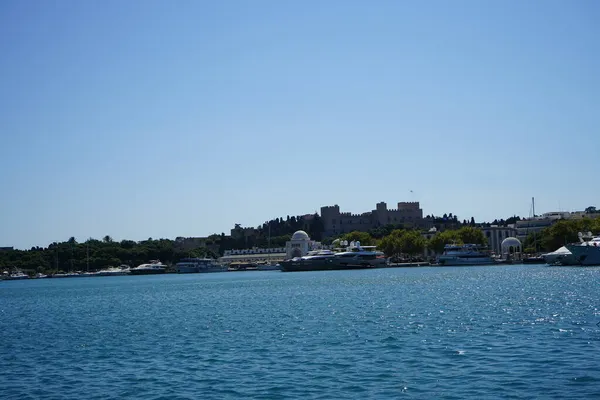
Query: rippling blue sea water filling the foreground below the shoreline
[[511, 332]]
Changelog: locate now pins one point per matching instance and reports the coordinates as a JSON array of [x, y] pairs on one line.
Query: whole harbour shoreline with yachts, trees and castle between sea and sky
[[339, 241]]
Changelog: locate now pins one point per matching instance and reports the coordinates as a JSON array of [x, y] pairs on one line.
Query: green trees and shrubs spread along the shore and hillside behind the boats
[[392, 239]]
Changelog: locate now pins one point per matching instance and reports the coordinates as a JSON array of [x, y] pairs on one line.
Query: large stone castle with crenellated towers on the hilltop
[[336, 222]]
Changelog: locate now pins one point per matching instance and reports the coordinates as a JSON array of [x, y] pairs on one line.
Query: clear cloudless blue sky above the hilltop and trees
[[141, 119]]
